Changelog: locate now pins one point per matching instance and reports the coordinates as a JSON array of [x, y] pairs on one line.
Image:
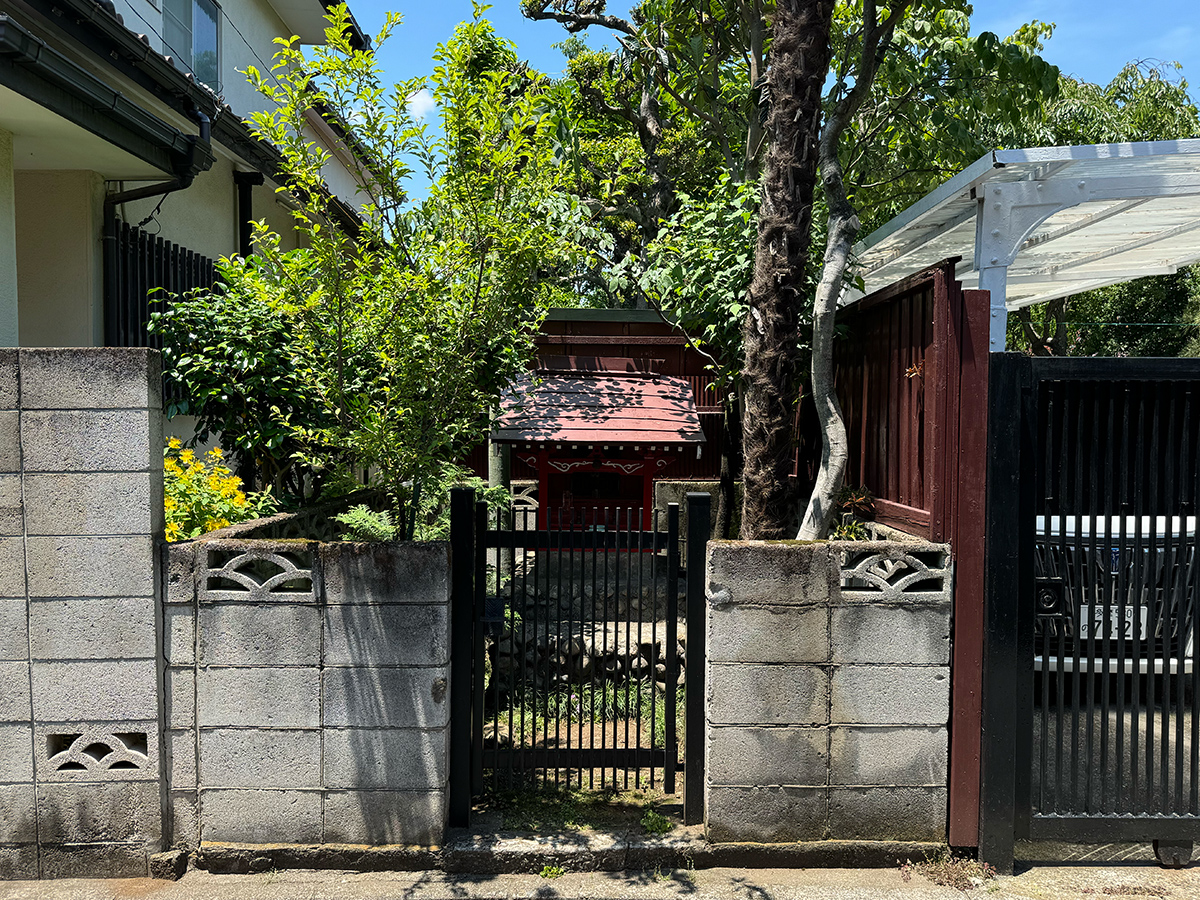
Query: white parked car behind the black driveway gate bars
[[1130, 583]]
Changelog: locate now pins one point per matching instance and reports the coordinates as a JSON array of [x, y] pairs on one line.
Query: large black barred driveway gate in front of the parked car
[[1091, 721]]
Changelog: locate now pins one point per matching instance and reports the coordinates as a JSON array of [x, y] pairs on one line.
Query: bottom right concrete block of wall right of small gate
[[908, 814]]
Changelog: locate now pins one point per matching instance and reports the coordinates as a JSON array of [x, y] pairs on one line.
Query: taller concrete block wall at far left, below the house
[[81, 508]]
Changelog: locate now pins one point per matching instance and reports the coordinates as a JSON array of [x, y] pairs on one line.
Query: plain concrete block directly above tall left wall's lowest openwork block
[[92, 691]]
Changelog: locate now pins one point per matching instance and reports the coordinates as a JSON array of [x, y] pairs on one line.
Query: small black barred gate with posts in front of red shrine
[[579, 646]]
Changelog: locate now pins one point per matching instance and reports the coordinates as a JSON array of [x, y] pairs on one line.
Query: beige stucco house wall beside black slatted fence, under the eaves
[[59, 249]]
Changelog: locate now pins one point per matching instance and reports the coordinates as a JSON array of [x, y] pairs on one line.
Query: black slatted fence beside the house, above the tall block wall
[[137, 266]]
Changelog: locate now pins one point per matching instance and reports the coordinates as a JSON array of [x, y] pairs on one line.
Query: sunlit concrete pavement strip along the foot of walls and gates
[[1076, 881]]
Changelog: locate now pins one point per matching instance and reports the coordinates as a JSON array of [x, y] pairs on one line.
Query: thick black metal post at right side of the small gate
[[700, 507]]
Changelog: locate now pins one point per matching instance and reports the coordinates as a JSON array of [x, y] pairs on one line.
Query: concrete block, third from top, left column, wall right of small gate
[[767, 695]]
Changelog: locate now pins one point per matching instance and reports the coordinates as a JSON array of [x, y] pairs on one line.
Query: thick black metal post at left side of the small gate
[[463, 565]]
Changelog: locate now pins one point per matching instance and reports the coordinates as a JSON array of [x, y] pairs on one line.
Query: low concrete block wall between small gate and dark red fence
[[829, 692]]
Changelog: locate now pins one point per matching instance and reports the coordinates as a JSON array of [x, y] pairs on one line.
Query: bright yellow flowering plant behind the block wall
[[202, 495]]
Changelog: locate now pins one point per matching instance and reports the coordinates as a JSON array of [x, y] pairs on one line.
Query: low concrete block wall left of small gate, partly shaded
[[307, 692]]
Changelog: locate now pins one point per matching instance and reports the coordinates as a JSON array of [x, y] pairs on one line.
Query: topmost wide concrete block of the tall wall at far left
[[93, 377]]
